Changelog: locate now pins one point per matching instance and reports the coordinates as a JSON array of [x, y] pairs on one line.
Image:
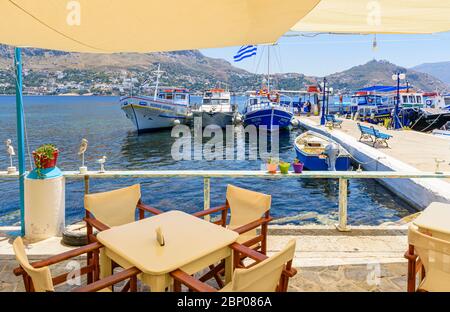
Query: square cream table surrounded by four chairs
[[191, 244]]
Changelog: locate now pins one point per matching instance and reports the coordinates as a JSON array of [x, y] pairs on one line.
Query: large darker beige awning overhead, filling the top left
[[106, 26]]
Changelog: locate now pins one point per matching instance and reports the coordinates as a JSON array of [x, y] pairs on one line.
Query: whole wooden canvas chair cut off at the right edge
[[428, 257]]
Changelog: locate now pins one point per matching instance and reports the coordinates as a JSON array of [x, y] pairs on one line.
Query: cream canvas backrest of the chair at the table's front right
[[265, 276]]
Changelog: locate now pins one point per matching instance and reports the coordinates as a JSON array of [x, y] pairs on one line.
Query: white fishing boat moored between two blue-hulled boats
[[216, 109]]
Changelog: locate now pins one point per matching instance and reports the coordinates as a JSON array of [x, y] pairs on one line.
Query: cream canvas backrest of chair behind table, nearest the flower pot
[[114, 207]]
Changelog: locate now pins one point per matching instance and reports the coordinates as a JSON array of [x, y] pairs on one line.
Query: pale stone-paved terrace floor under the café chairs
[[366, 259]]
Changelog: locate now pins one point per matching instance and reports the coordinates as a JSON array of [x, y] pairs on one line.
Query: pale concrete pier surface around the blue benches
[[406, 145]]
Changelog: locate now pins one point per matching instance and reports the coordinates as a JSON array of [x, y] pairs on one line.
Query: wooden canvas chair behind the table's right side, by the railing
[[249, 210]]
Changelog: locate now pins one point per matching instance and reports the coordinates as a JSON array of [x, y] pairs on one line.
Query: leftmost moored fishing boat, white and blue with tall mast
[[166, 108]]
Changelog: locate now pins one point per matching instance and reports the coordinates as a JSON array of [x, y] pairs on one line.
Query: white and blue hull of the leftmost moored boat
[[148, 115]]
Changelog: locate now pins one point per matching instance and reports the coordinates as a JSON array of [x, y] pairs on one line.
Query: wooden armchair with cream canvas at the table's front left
[[37, 277]]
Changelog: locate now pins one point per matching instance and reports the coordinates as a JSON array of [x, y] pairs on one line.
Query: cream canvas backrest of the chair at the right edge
[[435, 256]]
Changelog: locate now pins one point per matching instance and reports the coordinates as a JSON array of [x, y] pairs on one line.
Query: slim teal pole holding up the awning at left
[[20, 134]]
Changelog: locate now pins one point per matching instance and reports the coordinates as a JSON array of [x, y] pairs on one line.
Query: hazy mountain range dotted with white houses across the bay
[[55, 72]]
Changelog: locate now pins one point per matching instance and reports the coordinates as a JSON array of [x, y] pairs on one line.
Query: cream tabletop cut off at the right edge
[[435, 221]]
